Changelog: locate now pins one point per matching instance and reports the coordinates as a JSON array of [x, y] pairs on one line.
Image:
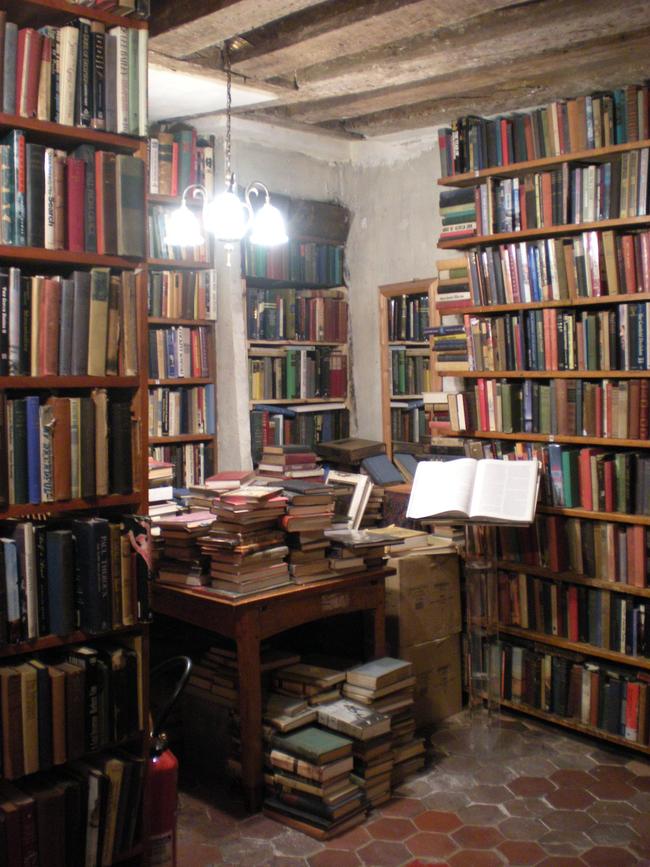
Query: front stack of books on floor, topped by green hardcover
[[309, 785]]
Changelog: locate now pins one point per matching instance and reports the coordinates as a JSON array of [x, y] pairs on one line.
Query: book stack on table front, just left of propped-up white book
[[309, 515]]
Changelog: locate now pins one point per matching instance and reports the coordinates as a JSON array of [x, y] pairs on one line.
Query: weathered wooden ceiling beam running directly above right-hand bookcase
[[506, 88]]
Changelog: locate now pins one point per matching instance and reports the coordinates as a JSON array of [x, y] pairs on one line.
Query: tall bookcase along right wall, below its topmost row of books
[[572, 590]]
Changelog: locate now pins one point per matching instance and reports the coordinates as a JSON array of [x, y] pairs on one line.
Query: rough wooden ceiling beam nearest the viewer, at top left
[[181, 29]]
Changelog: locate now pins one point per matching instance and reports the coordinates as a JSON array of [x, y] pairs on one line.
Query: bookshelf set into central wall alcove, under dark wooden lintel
[[297, 329]]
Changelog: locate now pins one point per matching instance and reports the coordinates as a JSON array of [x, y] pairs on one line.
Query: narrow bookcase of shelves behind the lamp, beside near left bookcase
[[182, 309]]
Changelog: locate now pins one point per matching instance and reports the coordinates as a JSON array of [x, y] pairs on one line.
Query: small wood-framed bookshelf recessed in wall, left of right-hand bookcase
[[405, 310]]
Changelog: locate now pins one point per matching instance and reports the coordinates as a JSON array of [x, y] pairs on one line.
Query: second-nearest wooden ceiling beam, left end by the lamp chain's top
[[328, 31]]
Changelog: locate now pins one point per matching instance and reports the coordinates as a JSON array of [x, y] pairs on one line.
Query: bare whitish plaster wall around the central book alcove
[[390, 190]]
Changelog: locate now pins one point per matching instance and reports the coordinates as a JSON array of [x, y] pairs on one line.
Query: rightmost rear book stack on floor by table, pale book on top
[[386, 685]]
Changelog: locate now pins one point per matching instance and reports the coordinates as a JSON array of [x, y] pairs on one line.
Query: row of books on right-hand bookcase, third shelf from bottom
[[602, 550]]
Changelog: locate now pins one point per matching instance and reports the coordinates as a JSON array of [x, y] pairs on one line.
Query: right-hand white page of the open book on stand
[[505, 490]]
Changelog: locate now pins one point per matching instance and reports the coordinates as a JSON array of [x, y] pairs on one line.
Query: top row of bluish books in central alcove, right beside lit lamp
[[297, 261]]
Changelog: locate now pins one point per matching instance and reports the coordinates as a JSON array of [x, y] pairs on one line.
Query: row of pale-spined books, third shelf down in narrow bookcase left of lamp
[[183, 294]]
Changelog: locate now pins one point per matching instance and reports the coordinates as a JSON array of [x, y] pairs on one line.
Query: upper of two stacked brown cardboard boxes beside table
[[422, 599]]
